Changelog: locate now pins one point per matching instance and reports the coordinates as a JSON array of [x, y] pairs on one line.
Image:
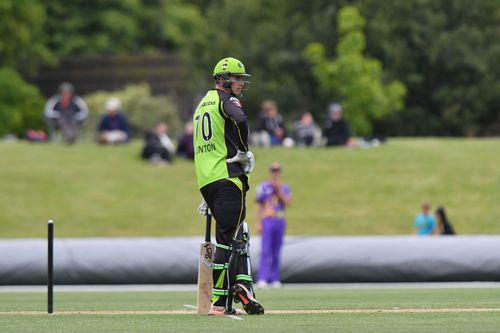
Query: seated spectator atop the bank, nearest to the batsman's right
[[270, 131]]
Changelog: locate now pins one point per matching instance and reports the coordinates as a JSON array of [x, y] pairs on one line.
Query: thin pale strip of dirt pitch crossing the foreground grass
[[187, 312]]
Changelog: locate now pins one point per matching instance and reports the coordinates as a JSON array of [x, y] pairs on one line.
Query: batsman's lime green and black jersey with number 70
[[220, 129]]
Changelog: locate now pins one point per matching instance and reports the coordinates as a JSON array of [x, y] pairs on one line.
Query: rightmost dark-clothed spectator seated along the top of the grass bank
[[336, 130]]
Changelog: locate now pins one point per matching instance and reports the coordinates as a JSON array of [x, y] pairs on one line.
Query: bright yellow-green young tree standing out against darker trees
[[357, 79]]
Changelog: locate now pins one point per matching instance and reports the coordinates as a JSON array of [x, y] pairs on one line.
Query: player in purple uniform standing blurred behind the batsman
[[273, 196]]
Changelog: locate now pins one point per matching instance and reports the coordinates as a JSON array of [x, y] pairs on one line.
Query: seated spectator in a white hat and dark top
[[113, 127]]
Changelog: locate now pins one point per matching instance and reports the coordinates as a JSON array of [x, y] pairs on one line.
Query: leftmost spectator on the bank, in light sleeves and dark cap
[[66, 112]]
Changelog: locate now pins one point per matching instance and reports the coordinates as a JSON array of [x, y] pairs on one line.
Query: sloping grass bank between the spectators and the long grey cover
[[107, 191]]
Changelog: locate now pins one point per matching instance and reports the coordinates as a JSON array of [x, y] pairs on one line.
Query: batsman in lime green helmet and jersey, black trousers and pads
[[222, 163]]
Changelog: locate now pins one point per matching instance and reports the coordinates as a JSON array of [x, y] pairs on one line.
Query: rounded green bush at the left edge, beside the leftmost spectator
[[21, 105]]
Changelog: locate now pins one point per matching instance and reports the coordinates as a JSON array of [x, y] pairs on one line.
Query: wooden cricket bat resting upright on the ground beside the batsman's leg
[[205, 279]]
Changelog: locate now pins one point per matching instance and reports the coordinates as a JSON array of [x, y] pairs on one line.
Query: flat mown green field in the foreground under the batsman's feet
[[290, 310]]
